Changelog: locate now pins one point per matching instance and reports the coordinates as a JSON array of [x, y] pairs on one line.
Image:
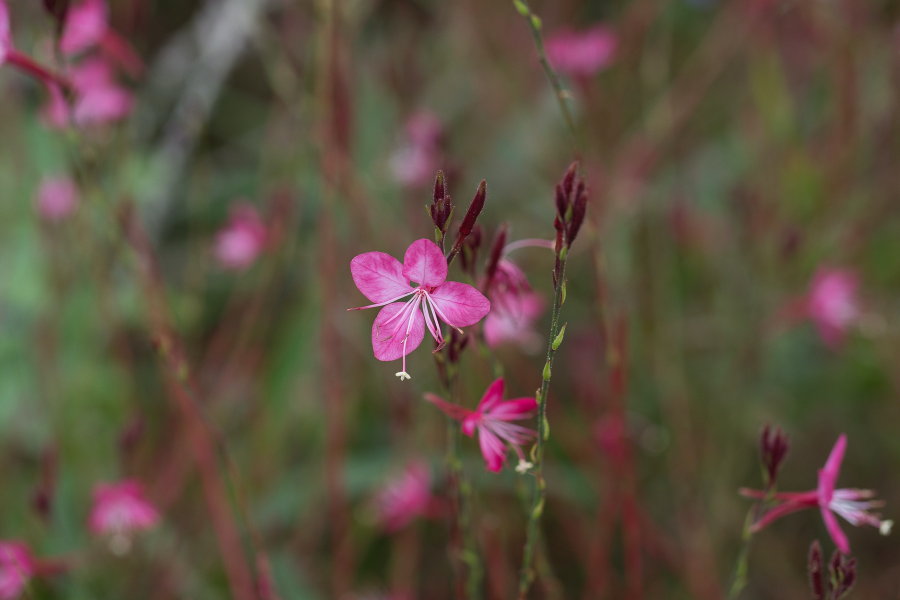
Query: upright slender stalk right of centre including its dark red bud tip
[[571, 204]]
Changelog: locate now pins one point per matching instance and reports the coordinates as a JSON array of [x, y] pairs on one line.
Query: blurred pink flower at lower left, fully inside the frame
[[121, 509]]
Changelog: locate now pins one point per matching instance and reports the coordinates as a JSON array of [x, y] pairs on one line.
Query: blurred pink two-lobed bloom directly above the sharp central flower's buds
[[415, 163]]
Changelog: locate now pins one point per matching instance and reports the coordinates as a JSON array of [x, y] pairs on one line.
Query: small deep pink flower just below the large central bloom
[[492, 420]]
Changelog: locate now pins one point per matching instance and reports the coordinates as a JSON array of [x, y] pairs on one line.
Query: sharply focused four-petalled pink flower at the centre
[[400, 328]]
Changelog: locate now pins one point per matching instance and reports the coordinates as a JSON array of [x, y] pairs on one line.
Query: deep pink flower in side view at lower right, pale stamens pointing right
[[852, 504]]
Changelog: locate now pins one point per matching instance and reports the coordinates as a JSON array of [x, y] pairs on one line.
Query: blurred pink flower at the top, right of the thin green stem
[[581, 53]]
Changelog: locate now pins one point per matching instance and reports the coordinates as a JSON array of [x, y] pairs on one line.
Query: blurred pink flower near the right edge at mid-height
[[833, 304]]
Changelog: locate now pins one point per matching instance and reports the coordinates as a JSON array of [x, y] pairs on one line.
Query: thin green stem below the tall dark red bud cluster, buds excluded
[[537, 507]]
